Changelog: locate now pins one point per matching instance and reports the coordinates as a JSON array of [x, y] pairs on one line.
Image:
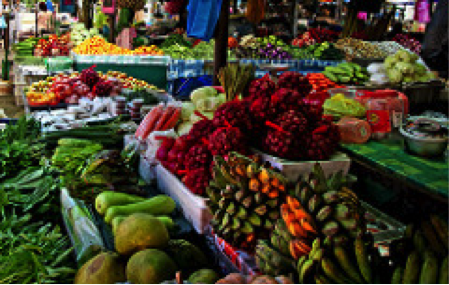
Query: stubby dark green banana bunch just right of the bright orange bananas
[[327, 207]]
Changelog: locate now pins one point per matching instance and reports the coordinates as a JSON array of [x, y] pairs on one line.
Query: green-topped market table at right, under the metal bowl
[[402, 181]]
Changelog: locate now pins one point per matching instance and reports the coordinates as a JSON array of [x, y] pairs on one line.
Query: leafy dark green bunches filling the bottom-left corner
[[33, 251]]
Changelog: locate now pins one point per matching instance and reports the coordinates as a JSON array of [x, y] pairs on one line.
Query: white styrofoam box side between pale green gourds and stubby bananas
[[193, 206]]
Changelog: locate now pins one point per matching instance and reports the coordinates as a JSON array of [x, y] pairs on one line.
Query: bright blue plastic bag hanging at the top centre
[[203, 17]]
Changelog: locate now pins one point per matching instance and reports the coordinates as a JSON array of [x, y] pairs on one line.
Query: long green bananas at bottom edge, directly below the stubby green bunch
[[353, 262]]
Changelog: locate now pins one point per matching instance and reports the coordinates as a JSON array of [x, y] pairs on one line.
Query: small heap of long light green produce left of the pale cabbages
[[347, 73]]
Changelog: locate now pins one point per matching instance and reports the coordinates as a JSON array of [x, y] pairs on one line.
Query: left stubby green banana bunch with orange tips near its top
[[244, 198]]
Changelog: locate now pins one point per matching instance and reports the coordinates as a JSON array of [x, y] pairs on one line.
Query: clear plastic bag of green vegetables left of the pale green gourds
[[85, 237]]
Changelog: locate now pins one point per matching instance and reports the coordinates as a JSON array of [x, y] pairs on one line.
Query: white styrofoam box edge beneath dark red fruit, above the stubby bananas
[[293, 170]]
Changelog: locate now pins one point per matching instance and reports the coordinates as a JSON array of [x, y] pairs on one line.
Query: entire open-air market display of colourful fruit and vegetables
[[310, 162]]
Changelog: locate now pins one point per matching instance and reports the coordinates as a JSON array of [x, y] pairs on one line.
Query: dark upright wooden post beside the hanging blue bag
[[221, 41]]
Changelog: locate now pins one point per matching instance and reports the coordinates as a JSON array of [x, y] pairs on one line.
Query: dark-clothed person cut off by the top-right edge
[[435, 49]]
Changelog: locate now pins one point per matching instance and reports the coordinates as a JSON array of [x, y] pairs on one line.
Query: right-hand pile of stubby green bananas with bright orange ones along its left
[[317, 208]]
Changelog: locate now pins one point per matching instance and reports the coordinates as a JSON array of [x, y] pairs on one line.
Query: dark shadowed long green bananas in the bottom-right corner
[[422, 256]]
